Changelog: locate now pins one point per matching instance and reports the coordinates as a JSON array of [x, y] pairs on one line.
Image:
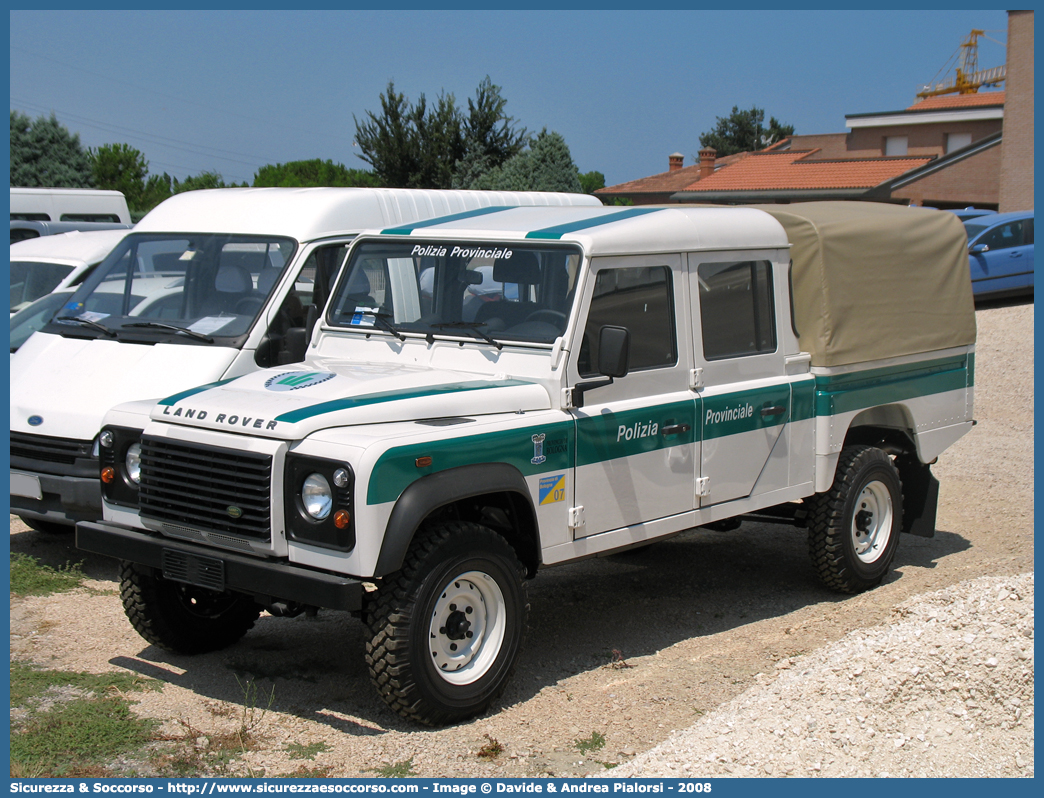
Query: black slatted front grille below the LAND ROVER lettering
[[206, 488]]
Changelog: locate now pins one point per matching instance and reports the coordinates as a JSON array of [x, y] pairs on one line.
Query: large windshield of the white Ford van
[[191, 288]]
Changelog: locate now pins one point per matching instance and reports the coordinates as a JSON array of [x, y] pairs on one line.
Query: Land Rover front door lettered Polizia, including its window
[[636, 450]]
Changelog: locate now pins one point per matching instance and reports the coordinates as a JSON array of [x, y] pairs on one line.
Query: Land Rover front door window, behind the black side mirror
[[642, 300]]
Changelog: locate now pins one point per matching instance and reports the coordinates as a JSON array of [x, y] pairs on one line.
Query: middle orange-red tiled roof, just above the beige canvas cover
[[767, 172]]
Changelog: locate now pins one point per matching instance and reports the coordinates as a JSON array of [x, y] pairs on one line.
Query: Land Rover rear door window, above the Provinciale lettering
[[737, 309]]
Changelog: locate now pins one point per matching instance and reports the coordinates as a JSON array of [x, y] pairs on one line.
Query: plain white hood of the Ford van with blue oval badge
[[66, 386]]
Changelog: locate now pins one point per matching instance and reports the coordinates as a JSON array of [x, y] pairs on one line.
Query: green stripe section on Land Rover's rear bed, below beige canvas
[[844, 393]]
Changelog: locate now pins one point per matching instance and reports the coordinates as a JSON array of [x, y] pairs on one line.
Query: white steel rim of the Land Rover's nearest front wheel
[[467, 629]]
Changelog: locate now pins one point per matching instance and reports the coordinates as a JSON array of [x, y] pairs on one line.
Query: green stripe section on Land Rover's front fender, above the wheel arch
[[397, 468]]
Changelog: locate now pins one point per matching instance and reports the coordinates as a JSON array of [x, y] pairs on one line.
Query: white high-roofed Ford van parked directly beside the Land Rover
[[212, 286]]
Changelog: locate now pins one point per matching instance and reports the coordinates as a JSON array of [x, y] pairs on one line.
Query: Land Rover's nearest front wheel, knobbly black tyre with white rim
[[446, 630]]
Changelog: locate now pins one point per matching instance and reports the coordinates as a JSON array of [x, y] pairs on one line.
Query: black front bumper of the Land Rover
[[268, 581]]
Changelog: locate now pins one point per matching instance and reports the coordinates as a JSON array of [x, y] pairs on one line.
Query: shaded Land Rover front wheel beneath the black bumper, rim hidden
[[183, 619]]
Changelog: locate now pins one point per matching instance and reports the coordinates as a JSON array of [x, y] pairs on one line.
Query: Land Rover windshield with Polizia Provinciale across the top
[[490, 292]]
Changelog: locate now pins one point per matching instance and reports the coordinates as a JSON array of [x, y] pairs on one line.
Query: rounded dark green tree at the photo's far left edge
[[45, 155]]
